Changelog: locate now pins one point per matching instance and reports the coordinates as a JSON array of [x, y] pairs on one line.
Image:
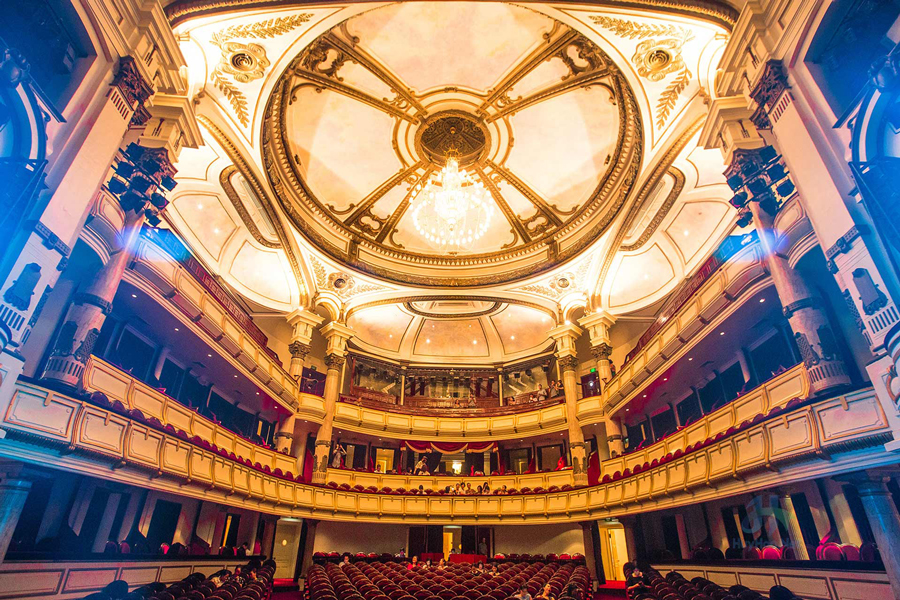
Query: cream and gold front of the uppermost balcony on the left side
[[158, 273]]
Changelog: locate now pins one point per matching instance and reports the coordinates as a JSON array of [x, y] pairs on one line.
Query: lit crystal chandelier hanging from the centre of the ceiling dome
[[452, 210]]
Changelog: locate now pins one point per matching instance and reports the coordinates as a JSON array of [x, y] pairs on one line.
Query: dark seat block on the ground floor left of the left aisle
[[253, 582]]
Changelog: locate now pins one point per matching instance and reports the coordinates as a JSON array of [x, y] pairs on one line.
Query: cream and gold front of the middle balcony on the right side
[[773, 394]]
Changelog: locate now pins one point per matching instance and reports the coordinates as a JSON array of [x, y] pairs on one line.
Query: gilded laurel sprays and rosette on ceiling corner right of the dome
[[651, 53]]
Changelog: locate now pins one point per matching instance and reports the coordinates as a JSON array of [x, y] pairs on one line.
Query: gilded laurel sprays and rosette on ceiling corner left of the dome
[[260, 30]]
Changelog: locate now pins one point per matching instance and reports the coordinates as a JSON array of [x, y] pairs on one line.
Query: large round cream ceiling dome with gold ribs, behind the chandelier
[[536, 113]]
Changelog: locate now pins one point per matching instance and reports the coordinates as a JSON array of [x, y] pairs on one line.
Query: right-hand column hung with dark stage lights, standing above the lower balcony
[[761, 185]]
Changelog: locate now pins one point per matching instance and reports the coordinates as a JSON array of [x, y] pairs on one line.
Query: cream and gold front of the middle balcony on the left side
[[100, 376]]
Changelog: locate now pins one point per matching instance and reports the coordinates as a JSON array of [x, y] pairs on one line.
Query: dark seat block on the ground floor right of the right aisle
[[675, 587]]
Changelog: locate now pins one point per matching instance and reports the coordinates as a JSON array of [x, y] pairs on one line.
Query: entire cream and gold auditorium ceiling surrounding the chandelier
[[581, 121]]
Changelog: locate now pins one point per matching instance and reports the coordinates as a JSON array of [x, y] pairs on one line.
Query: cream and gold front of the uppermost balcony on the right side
[[720, 294]]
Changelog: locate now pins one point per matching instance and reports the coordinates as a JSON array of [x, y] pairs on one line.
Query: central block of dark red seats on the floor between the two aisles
[[395, 581]]
